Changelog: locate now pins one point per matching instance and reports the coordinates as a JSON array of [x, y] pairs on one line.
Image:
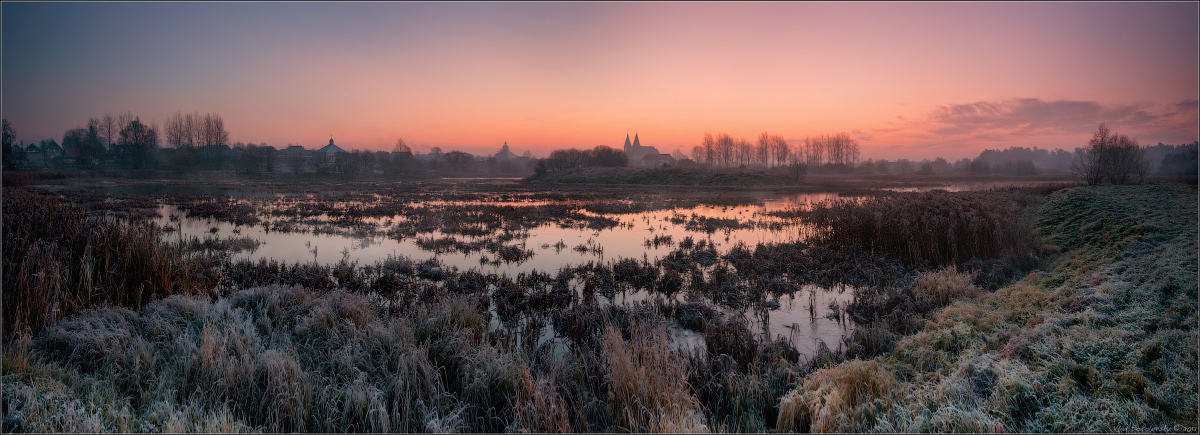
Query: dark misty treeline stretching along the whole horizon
[[200, 142]]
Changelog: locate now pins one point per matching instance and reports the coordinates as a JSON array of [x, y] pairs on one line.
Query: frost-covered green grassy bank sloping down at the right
[[1105, 339]]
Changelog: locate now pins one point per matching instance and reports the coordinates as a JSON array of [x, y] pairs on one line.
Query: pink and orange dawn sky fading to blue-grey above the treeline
[[909, 80]]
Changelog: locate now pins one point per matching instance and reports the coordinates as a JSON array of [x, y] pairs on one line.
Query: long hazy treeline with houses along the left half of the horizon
[[201, 142]]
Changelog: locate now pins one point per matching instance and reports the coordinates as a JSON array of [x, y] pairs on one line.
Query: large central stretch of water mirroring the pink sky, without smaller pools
[[621, 242]]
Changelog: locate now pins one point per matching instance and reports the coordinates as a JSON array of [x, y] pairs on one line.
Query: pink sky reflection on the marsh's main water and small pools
[[793, 320]]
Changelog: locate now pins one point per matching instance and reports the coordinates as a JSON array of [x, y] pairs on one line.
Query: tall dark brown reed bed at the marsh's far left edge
[[58, 261]]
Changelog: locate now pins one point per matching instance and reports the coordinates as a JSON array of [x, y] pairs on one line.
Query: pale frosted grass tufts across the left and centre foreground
[[290, 360]]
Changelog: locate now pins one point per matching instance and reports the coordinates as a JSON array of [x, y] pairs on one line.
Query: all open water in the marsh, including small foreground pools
[[803, 318]]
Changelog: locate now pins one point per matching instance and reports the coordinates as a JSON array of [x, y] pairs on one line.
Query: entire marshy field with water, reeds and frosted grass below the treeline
[[515, 307]]
